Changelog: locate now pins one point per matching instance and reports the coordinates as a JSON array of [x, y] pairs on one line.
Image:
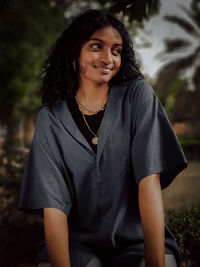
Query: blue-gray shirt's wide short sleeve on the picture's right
[[155, 146]]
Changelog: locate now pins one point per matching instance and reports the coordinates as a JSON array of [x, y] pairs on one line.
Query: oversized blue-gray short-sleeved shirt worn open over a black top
[[99, 192]]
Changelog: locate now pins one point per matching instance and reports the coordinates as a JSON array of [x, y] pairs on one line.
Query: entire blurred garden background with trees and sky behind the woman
[[166, 38]]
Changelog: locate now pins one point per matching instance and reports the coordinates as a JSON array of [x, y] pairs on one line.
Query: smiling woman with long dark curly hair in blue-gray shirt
[[102, 151]]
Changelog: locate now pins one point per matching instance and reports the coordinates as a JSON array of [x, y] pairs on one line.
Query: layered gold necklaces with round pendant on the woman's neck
[[82, 108]]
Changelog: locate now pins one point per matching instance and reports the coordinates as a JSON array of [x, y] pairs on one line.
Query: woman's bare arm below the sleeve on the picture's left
[[56, 236]]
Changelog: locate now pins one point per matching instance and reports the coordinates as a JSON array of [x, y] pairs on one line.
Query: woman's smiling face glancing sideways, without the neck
[[100, 56]]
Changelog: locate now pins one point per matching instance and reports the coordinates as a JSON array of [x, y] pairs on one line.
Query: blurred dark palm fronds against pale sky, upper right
[[191, 58]]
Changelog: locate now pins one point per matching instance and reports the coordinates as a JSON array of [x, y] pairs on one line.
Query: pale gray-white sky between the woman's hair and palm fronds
[[159, 29]]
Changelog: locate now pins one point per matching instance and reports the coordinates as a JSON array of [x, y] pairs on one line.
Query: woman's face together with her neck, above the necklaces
[[99, 62]]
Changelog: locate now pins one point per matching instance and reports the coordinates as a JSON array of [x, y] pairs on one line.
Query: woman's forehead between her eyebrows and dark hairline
[[108, 34]]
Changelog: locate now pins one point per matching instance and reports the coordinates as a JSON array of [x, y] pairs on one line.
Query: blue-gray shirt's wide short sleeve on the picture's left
[[45, 180]]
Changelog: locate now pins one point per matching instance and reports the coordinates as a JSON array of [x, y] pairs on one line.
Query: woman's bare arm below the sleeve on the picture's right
[[152, 217]]
